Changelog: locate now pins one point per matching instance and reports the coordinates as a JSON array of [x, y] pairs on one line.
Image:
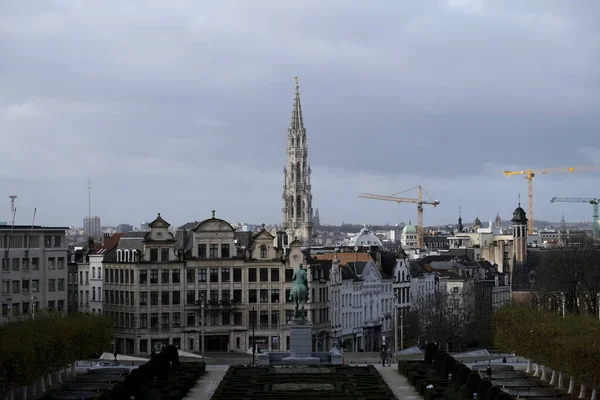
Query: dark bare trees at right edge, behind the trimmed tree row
[[573, 268]]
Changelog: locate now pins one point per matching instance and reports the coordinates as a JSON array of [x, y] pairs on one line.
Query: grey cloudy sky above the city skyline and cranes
[[180, 107]]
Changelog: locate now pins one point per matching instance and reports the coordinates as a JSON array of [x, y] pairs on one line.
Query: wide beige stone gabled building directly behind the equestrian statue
[[208, 281]]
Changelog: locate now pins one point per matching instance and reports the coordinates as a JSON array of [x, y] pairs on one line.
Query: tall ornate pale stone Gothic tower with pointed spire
[[297, 198]]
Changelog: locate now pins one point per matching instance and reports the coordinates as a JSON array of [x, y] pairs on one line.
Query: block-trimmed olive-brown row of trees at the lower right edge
[[569, 345]]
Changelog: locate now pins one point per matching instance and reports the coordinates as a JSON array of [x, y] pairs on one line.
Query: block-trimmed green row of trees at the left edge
[[33, 348]]
